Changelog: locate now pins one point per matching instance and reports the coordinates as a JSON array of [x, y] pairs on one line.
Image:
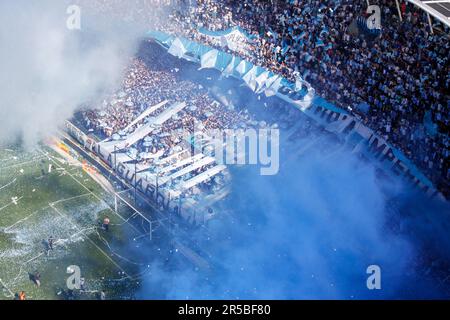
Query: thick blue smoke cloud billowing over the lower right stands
[[310, 232]]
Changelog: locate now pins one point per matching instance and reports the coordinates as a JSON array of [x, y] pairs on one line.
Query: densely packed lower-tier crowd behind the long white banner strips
[[148, 81]]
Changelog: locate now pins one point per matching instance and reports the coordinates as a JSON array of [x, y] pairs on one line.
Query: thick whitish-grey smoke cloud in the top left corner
[[47, 70]]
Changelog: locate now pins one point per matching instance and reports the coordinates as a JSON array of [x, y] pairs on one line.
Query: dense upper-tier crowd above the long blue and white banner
[[396, 81]]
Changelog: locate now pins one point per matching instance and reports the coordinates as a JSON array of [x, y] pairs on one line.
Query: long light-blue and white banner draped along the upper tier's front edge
[[362, 140]]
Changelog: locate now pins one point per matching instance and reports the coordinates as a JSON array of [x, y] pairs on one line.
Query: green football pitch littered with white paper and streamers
[[43, 195]]
